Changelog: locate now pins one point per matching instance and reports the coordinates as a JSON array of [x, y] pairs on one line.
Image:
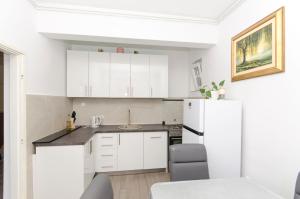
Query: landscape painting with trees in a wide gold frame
[[259, 50]]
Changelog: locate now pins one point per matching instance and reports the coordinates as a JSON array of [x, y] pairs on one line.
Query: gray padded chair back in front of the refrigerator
[[188, 162]]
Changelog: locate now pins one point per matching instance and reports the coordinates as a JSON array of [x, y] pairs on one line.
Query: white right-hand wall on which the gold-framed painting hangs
[[270, 104]]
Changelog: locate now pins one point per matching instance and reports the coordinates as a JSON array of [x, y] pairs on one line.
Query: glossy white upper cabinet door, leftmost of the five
[[77, 73]]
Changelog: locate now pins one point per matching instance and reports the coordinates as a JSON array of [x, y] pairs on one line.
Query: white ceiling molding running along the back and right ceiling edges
[[59, 7]]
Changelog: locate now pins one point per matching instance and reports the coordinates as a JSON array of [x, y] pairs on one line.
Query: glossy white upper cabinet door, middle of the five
[[120, 75]]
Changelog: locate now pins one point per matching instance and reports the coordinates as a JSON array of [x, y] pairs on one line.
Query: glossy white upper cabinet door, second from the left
[[99, 69]]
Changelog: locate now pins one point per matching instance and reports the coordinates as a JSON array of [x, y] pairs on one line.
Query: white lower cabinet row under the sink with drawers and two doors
[[130, 151]]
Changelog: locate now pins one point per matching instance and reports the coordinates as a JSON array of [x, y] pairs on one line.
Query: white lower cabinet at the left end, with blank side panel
[[63, 172]]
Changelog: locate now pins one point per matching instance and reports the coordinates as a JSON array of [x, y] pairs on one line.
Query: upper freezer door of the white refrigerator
[[193, 114]]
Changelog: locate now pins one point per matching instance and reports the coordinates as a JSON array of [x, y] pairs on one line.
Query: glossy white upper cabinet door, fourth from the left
[[140, 74]]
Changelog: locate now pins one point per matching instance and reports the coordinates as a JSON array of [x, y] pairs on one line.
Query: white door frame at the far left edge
[[17, 123]]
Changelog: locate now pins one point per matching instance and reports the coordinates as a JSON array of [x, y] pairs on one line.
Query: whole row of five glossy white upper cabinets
[[95, 74]]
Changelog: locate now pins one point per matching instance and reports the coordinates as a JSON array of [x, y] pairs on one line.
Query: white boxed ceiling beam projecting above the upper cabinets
[[90, 26]]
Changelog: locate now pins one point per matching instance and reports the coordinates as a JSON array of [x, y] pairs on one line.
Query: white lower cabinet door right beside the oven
[[155, 150]]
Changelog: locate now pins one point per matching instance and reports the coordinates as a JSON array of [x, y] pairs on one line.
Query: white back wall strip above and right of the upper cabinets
[[179, 67]]
